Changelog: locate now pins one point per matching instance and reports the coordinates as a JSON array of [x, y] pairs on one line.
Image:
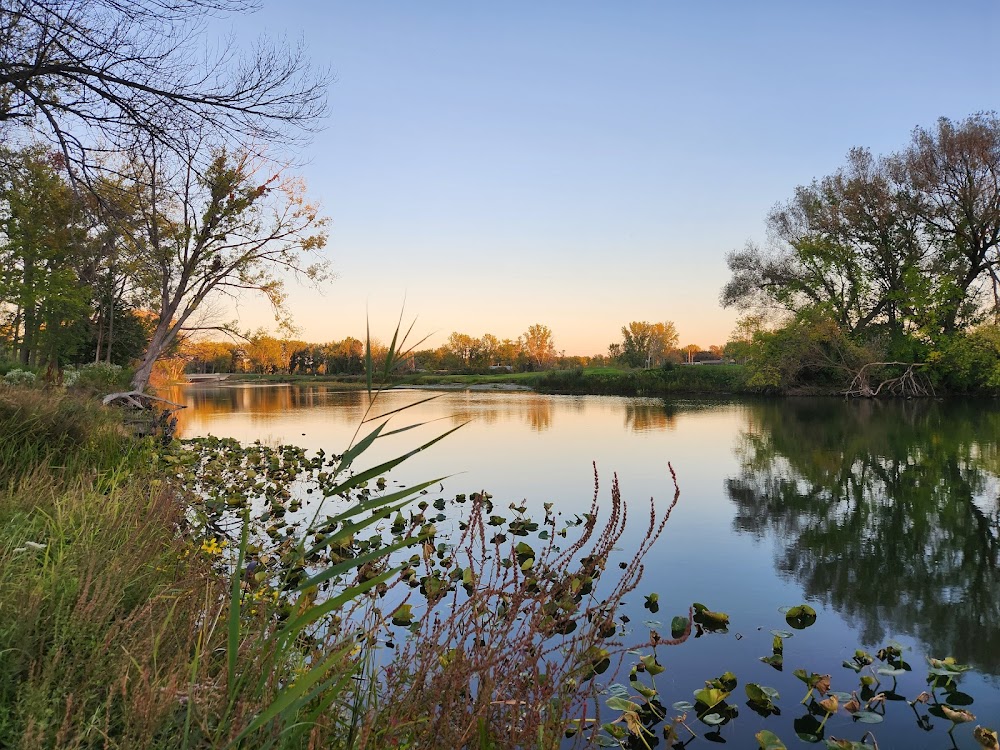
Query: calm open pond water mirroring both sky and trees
[[882, 516]]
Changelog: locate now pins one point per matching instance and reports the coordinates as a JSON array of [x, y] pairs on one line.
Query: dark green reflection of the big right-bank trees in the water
[[886, 511]]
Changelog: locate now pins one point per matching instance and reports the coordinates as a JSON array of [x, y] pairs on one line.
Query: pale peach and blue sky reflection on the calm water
[[540, 448]]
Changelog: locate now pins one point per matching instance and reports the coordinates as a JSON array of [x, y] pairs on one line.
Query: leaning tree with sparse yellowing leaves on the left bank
[[225, 230]]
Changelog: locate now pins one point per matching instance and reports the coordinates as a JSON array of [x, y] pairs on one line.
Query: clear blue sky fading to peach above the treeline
[[586, 164]]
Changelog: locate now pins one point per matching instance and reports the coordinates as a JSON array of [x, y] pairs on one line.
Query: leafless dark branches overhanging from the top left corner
[[93, 75]]
